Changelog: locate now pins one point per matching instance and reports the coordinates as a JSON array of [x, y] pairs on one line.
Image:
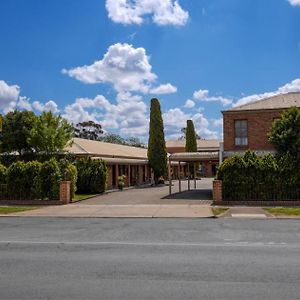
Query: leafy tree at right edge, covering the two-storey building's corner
[[285, 133]]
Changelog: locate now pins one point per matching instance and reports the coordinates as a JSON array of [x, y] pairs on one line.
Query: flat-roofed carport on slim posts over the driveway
[[188, 158]]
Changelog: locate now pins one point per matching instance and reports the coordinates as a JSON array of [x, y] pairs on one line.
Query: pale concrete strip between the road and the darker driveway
[[121, 211]]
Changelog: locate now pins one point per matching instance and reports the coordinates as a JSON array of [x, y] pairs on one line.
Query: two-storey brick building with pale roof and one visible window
[[247, 126]]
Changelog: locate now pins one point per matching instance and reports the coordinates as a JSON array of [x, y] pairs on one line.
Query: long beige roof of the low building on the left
[[96, 148]]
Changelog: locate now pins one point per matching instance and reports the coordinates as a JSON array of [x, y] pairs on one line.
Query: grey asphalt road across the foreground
[[60, 258]]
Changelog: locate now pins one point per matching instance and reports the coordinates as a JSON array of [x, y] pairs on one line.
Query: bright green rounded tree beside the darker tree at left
[[50, 134]]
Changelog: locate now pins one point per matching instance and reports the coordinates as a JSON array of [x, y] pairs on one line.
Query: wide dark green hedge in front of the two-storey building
[[250, 177]]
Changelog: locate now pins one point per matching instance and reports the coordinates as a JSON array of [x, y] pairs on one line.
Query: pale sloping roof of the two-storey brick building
[[275, 102]]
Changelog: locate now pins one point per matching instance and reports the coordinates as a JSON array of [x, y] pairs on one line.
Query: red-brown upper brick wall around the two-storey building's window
[[259, 125]]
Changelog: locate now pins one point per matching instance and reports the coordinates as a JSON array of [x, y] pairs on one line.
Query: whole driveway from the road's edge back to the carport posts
[[149, 202]]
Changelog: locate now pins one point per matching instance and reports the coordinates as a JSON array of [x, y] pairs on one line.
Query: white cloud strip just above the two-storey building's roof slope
[[293, 86]]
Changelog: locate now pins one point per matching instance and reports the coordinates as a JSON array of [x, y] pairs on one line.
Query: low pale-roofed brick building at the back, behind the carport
[[209, 149]]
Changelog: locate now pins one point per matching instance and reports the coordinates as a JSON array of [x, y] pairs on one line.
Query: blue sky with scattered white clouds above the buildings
[[103, 60]]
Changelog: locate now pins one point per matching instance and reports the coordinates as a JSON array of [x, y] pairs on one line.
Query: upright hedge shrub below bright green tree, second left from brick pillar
[[50, 177]]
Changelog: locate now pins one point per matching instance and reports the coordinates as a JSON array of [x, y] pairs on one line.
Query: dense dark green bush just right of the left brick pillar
[[92, 176]]
